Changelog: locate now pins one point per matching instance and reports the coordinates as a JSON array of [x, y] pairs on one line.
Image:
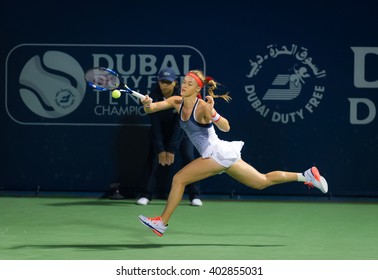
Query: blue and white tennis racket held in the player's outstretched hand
[[105, 79]]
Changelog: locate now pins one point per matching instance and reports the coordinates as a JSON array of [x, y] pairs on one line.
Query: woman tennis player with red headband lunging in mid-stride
[[197, 118]]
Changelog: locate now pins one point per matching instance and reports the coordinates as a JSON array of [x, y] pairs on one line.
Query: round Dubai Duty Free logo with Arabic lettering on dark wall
[[285, 84]]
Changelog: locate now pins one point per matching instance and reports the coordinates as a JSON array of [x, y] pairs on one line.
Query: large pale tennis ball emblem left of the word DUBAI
[[50, 86]]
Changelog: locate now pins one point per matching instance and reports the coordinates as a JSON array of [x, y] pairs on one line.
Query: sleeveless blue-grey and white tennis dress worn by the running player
[[207, 143]]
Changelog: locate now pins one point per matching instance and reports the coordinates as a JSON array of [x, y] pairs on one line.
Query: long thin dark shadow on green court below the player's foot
[[134, 246]]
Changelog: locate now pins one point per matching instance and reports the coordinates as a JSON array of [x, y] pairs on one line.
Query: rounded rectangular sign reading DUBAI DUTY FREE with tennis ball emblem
[[45, 83]]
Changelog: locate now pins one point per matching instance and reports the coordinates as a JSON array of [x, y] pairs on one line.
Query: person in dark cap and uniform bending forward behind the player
[[168, 139]]
